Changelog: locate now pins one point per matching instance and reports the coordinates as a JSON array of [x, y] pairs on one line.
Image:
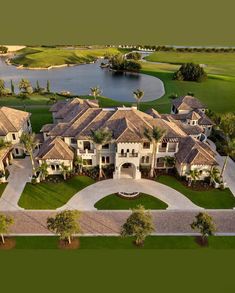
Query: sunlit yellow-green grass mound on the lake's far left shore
[[45, 57]]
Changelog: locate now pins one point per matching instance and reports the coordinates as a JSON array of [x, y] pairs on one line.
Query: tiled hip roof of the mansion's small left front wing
[[55, 148]]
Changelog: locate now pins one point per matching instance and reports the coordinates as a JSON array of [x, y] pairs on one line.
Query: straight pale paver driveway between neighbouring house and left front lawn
[[20, 173]]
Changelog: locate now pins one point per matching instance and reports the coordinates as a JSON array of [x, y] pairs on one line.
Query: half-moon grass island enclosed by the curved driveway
[[115, 202]]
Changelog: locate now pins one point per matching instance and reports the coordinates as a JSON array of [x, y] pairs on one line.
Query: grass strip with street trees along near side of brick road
[[111, 242]]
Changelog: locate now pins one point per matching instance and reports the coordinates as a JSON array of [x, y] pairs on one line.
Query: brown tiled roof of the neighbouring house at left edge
[[12, 120]]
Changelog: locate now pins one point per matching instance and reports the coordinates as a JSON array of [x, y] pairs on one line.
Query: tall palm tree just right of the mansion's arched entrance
[[154, 136]]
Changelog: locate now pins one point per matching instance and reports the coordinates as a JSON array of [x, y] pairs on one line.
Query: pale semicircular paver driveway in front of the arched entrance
[[85, 199]]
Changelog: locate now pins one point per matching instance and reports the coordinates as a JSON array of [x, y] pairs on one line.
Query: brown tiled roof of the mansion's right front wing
[[195, 153]]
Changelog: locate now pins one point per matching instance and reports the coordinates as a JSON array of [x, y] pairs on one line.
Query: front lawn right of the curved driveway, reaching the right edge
[[211, 199]]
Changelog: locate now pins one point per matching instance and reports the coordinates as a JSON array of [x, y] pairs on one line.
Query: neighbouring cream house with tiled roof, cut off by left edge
[[12, 124]]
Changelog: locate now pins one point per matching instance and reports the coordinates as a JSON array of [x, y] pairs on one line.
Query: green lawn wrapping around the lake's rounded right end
[[216, 92]]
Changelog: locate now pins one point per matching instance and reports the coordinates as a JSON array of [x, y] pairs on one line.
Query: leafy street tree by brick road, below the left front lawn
[[65, 224]]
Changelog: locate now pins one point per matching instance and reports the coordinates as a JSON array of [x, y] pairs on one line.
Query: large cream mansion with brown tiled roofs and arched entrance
[[129, 150]]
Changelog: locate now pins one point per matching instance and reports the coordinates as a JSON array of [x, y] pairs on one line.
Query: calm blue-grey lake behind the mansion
[[79, 79]]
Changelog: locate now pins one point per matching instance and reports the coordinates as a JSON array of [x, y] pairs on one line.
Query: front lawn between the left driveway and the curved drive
[[50, 195]]
